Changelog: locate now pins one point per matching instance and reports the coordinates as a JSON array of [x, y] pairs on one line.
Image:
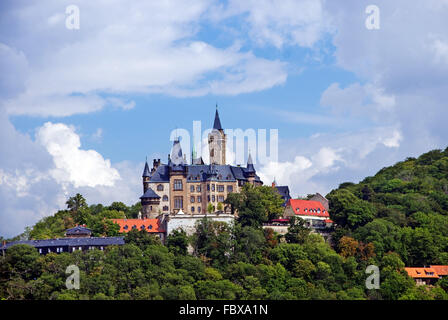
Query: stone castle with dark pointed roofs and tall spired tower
[[189, 188]]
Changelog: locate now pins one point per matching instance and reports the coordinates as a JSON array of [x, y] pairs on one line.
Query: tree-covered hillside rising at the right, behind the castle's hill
[[403, 208]]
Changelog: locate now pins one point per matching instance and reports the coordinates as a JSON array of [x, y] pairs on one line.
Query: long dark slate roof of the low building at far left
[[70, 242]]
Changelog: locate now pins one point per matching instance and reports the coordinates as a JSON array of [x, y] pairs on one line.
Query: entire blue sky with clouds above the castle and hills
[[80, 109]]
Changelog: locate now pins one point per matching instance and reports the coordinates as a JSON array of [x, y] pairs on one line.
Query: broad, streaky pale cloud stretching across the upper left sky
[[143, 47]]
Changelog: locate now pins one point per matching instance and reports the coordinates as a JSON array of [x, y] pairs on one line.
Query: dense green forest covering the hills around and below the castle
[[397, 218]]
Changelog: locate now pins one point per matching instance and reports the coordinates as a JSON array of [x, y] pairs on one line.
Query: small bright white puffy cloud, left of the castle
[[72, 164]]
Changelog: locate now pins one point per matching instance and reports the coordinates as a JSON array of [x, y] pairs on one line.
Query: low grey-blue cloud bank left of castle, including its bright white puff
[[37, 177]]
